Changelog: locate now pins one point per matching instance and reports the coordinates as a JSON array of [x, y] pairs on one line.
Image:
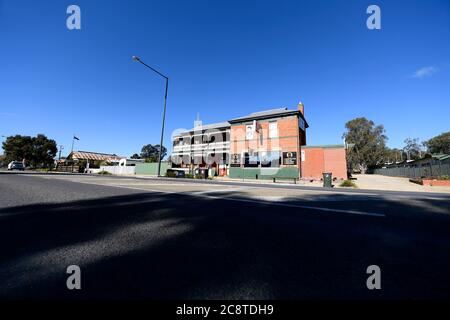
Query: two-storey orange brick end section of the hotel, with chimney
[[267, 144]]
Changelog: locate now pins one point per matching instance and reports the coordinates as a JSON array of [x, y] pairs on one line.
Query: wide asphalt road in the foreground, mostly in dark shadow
[[158, 239]]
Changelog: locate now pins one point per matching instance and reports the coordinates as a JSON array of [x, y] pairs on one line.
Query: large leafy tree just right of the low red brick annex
[[369, 143]]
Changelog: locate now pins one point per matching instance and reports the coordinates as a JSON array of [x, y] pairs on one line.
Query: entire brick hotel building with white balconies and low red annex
[[261, 145]]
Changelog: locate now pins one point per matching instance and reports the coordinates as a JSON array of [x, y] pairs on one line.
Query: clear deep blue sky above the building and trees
[[225, 59]]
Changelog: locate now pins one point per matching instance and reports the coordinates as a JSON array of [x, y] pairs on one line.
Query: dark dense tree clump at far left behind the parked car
[[38, 151]]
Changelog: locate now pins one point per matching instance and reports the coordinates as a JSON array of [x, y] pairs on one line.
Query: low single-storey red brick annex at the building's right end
[[319, 160]]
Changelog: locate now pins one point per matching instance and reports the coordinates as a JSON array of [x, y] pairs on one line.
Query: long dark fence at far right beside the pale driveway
[[417, 170]]
